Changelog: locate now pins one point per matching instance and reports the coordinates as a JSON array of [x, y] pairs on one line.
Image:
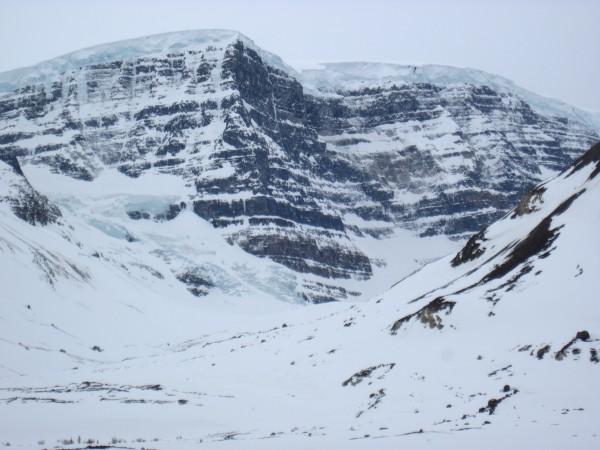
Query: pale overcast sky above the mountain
[[551, 47]]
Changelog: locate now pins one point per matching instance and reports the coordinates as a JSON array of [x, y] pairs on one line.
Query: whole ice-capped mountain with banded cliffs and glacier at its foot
[[329, 180]]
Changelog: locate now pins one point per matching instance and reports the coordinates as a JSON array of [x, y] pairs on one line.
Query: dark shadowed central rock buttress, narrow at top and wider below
[[274, 161]]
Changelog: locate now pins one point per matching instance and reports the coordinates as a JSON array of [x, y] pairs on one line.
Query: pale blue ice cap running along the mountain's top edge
[[164, 43]]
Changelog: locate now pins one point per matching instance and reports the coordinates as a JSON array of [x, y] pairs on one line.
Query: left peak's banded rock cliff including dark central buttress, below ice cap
[[232, 126]]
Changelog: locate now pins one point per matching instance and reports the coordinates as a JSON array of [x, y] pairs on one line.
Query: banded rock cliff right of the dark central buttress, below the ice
[[455, 157]]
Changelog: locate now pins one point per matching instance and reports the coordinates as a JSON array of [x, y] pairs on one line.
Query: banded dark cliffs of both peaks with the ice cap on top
[[287, 166]]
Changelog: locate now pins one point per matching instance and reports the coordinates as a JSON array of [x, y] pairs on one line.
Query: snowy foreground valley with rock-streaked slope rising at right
[[494, 346]]
